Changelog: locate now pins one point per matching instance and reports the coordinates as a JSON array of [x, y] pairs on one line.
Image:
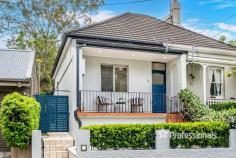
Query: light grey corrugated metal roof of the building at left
[[16, 65]]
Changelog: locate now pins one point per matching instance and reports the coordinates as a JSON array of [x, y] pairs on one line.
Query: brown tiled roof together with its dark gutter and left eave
[[139, 32]]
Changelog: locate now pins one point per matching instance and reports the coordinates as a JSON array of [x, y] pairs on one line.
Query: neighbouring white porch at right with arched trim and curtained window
[[209, 82]]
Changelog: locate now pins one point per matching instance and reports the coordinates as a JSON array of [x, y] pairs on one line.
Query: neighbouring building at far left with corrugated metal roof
[[17, 74]]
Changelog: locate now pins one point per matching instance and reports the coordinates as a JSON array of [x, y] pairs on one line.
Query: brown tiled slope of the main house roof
[[131, 26]]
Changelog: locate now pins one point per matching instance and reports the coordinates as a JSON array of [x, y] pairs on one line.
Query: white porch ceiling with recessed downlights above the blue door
[[125, 54]]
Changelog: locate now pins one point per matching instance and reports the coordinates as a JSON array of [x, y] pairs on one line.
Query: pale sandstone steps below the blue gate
[[56, 145]]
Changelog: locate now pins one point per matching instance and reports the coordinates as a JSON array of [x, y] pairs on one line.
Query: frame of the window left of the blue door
[[114, 75]]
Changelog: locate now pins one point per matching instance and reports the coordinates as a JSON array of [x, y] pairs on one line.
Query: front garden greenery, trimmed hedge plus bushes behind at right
[[202, 121]]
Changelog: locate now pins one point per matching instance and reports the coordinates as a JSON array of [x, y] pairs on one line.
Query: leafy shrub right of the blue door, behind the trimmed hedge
[[196, 111]]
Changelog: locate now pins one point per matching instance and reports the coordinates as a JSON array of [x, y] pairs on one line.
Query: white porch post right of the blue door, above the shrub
[[182, 72]]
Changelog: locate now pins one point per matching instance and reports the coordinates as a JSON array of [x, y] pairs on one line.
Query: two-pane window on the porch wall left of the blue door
[[114, 78]]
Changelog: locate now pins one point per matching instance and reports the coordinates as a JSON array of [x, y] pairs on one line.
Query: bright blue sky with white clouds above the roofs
[[209, 17]]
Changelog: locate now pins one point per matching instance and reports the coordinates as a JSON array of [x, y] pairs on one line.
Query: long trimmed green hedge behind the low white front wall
[[115, 137]]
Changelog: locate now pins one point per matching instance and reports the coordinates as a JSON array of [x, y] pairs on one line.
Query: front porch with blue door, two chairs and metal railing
[[128, 83]]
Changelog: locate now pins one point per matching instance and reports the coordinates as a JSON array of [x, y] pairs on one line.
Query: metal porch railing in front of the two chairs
[[122, 102]]
